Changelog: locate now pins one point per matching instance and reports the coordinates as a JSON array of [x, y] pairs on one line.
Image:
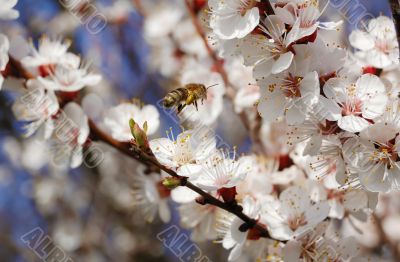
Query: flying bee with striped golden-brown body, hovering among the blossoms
[[187, 95]]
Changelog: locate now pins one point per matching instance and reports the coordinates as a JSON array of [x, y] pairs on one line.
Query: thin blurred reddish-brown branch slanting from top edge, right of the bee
[[230, 91]]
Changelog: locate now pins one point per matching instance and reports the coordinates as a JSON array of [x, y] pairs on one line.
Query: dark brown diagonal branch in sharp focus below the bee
[[131, 150]]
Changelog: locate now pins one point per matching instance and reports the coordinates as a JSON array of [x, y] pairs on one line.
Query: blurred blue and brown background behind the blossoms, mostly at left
[[88, 212]]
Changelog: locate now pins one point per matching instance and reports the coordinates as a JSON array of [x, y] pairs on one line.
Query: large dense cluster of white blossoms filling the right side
[[338, 107]]
